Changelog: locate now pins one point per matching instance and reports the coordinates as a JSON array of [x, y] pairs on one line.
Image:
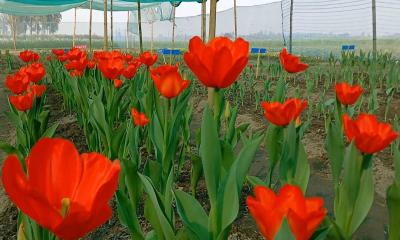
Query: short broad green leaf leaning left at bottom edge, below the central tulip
[[192, 214]]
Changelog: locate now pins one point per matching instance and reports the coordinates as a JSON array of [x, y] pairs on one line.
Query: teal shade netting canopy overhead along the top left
[[47, 7]]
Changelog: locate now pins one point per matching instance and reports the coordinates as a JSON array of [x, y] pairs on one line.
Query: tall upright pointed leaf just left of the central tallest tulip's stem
[[210, 152]]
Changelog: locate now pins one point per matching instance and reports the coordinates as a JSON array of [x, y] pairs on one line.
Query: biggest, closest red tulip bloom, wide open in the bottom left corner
[[69, 203]]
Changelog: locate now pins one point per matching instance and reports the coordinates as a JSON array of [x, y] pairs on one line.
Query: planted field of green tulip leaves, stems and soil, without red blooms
[[95, 116]]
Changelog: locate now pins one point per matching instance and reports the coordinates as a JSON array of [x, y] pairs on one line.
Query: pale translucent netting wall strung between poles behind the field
[[319, 27]]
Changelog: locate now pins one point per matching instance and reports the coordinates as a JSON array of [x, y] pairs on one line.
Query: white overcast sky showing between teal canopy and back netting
[[185, 9]]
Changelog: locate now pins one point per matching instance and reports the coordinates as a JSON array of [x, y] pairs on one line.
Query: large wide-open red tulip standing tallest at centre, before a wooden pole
[[219, 63]]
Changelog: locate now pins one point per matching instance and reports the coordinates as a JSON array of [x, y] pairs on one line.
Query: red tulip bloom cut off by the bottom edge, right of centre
[[304, 215]]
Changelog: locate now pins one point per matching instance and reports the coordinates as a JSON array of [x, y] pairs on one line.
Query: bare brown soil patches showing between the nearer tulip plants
[[244, 228]]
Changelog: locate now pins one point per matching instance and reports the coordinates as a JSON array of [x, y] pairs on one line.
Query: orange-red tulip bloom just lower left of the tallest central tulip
[[168, 81]]
